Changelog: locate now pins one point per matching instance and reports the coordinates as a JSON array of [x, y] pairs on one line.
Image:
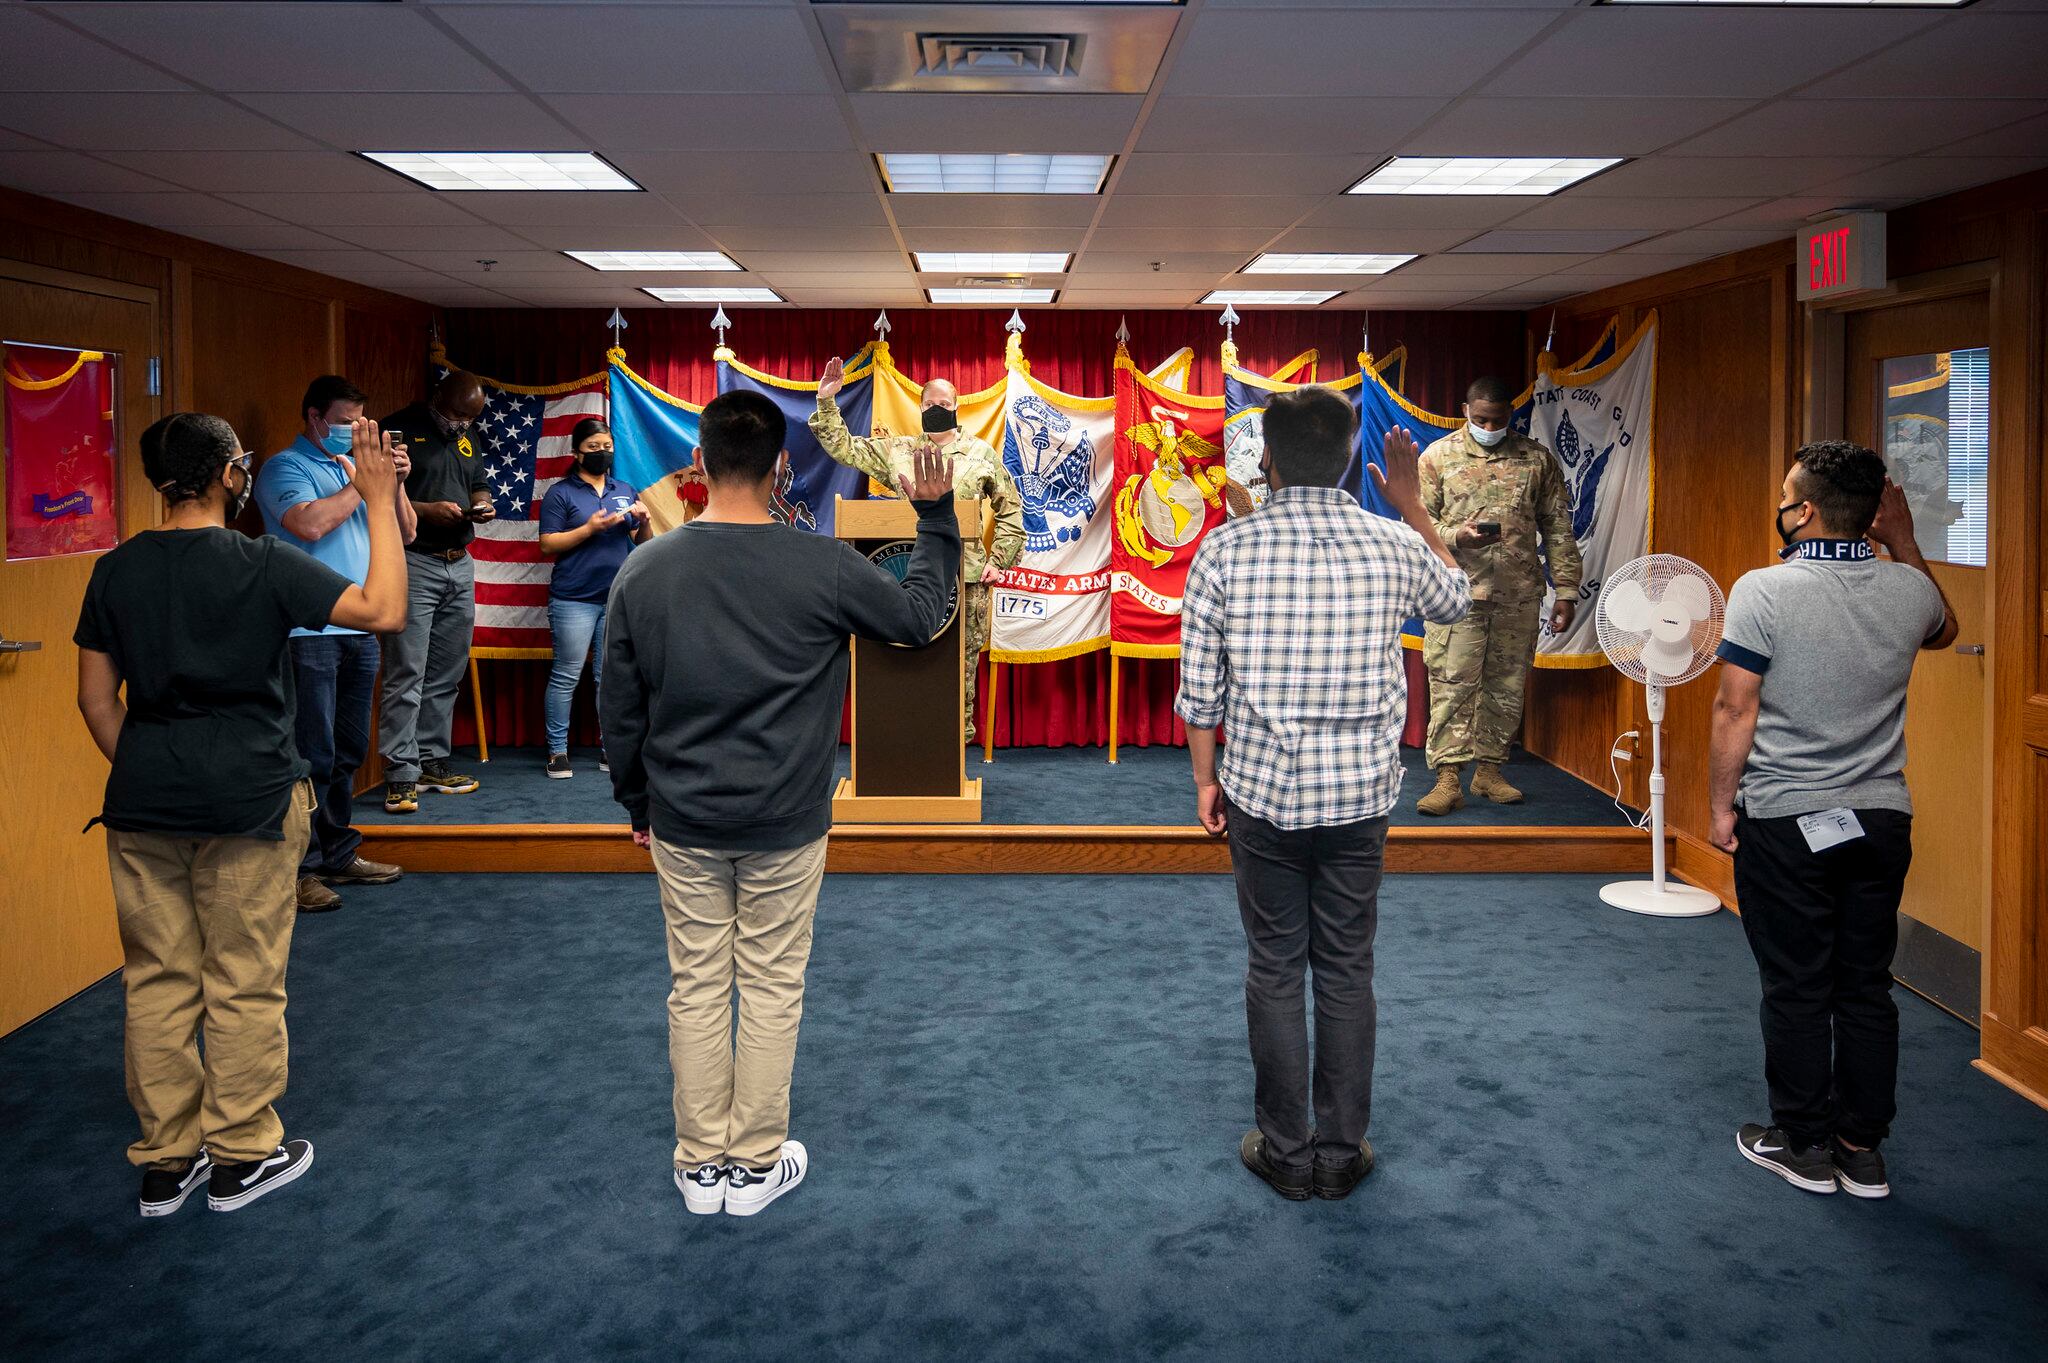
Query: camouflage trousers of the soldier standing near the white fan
[[1480, 668]]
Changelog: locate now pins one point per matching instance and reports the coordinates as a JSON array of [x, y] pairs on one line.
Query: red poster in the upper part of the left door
[[60, 439]]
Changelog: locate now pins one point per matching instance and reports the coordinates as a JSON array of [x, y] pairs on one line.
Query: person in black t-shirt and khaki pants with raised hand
[[208, 807]]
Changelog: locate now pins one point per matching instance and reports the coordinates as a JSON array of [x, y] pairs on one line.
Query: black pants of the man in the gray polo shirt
[[1824, 928]]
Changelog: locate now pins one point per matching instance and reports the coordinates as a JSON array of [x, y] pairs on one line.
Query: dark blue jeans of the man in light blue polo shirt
[[335, 676]]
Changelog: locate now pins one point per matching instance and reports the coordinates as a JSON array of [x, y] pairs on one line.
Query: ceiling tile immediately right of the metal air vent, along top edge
[[1332, 52]]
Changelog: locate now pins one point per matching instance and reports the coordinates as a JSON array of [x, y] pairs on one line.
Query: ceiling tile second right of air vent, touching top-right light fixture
[[1703, 50]]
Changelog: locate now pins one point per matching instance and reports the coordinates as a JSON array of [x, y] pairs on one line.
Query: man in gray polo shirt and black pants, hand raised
[[1811, 799]]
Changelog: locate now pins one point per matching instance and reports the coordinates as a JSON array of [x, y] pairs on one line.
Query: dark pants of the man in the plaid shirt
[[1310, 899]]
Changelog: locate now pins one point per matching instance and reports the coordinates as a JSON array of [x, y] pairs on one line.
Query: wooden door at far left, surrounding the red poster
[[56, 906]]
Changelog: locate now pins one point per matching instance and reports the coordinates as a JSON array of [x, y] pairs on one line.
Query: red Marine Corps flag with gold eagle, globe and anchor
[[1166, 494]]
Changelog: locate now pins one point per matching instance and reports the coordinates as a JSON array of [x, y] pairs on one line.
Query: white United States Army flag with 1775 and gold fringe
[[1060, 451]]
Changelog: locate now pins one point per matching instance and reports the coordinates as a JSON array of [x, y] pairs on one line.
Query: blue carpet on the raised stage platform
[[1025, 785]]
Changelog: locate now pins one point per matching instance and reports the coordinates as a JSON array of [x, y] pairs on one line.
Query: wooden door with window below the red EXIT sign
[[1918, 392]]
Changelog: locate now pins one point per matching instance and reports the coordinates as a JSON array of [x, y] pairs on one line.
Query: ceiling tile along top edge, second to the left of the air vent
[[374, 48]]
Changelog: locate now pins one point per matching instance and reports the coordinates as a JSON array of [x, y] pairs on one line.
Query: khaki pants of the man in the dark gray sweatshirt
[[736, 918]]
